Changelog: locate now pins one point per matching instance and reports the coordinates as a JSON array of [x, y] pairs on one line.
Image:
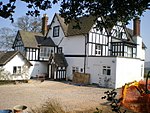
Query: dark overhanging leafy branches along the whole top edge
[[111, 11]]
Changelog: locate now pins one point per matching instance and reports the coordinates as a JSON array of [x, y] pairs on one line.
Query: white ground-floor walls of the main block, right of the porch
[[123, 70]]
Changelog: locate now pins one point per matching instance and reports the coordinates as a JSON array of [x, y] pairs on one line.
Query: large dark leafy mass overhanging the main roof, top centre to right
[[111, 11]]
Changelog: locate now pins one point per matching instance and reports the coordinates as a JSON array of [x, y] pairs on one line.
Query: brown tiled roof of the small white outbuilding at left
[[7, 56]]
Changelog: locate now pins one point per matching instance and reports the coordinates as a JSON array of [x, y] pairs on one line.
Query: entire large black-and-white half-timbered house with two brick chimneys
[[112, 57]]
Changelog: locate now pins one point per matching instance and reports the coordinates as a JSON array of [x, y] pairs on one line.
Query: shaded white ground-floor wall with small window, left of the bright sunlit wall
[[95, 68]]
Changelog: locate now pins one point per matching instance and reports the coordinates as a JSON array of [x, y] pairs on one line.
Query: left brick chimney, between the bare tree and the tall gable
[[44, 24]]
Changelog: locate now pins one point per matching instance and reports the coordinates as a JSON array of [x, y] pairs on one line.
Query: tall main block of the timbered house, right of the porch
[[110, 55]]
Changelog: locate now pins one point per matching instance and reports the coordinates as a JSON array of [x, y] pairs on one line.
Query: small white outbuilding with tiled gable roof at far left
[[14, 66]]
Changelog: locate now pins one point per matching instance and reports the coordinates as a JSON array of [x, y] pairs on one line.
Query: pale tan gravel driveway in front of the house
[[36, 93]]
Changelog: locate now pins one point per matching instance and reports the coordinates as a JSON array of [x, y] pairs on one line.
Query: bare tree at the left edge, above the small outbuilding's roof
[[7, 36]]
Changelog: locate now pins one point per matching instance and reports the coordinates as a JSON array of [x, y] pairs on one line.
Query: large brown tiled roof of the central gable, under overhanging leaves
[[86, 24]]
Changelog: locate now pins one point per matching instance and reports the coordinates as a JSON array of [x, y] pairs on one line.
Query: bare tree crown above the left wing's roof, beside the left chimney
[[28, 23]]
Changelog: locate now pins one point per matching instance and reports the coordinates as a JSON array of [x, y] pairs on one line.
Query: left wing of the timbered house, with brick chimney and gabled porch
[[37, 48]]
